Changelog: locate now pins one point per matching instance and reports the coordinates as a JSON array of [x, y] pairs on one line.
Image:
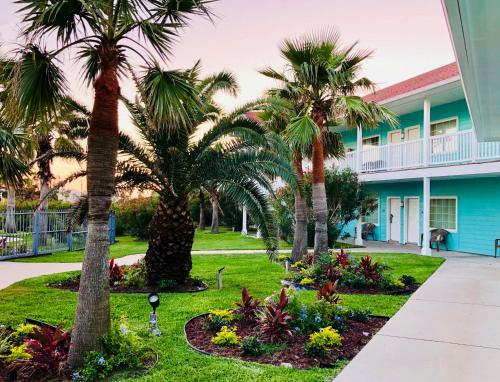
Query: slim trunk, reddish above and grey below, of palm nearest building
[[320, 208]]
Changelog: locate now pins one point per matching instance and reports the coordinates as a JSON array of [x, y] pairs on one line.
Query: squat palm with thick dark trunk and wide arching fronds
[[233, 159]]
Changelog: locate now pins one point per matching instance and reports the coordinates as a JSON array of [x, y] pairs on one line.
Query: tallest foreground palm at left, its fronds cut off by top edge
[[103, 34]]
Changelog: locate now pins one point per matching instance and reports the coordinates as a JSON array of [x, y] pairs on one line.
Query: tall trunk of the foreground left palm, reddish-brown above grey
[[92, 319]]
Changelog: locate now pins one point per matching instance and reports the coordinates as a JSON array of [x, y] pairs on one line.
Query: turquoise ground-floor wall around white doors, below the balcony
[[478, 211]]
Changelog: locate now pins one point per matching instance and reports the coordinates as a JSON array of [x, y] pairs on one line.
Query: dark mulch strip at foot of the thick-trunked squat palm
[[191, 286]]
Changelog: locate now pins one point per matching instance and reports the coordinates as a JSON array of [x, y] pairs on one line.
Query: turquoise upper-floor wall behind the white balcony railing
[[454, 109]]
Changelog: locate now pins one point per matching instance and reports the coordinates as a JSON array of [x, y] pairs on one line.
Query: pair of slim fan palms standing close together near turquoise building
[[319, 91]]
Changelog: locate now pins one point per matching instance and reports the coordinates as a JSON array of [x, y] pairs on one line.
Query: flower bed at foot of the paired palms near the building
[[352, 276]]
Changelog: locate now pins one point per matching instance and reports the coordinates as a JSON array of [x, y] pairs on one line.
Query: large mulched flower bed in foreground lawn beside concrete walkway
[[284, 331]]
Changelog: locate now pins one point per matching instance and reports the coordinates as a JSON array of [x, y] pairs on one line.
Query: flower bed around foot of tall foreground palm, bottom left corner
[[39, 353]]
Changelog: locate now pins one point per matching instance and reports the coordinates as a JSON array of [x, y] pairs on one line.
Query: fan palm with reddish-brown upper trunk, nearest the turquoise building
[[323, 78]]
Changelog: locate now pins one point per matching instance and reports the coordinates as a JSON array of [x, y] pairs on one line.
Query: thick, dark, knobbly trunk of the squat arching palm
[[171, 235]]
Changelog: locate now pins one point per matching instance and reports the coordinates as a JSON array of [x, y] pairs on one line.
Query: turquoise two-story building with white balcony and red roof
[[430, 172]]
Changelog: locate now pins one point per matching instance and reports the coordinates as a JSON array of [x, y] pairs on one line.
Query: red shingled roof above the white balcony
[[415, 83]]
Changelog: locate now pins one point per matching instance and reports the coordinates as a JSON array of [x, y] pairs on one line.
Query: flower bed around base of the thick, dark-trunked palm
[[132, 279]]
